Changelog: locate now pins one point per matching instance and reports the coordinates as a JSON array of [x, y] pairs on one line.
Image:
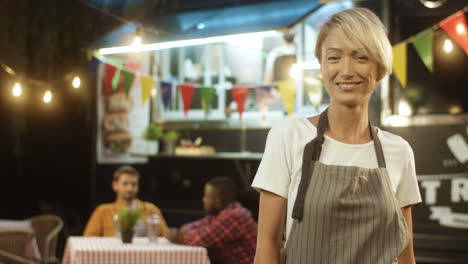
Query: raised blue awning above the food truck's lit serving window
[[213, 22]]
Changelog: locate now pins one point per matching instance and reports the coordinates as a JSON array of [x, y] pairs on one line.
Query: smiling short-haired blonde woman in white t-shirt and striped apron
[[344, 186]]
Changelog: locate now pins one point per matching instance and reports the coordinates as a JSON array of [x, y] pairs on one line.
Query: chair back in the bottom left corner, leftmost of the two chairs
[[14, 246]]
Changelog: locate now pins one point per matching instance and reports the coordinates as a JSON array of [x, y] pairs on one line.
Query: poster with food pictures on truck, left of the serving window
[[121, 114]]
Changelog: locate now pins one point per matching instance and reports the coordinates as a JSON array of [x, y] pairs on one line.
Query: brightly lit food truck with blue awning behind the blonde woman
[[216, 80]]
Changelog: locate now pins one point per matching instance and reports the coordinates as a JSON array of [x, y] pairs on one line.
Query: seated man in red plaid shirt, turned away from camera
[[228, 232]]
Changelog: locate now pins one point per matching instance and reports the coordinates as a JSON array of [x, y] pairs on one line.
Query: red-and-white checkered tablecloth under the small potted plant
[[110, 250]]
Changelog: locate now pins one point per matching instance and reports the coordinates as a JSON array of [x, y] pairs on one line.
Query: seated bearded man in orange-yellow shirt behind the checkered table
[[125, 186]]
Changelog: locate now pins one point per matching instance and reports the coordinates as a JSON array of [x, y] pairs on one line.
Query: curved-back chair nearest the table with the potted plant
[[46, 229]]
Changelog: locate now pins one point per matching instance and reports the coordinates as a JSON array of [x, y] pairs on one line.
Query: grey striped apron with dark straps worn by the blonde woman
[[344, 214]]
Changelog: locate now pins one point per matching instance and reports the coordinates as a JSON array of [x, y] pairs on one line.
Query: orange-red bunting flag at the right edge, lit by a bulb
[[455, 26]]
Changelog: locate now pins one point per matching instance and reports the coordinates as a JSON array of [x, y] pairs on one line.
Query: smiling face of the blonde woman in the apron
[[349, 75]]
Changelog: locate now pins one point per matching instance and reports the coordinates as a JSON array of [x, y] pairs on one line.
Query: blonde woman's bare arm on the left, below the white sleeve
[[272, 212]]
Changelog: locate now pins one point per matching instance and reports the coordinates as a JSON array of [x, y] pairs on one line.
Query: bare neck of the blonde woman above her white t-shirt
[[348, 124]]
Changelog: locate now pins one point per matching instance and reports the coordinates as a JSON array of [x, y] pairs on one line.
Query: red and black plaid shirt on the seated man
[[231, 235]]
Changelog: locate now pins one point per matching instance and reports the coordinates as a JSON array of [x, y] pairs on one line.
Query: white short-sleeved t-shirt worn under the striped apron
[[280, 169]]
